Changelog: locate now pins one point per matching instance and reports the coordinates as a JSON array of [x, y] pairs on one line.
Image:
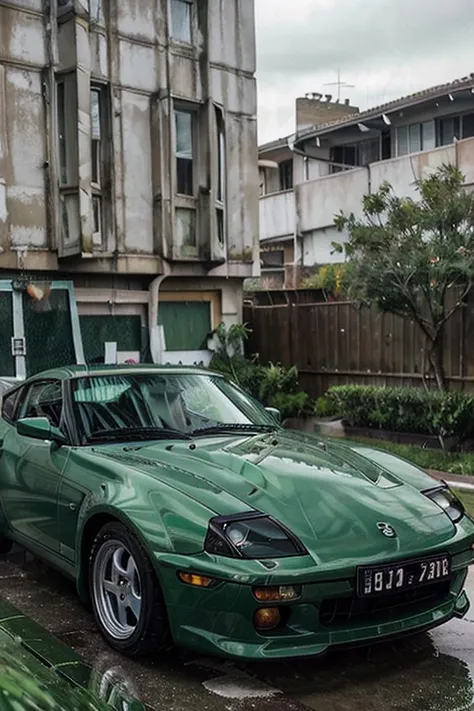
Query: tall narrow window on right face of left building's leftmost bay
[[97, 159]]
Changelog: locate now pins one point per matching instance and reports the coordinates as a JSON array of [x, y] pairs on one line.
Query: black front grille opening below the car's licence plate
[[339, 611]]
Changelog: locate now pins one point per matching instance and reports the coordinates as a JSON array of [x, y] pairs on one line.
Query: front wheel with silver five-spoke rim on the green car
[[126, 597]]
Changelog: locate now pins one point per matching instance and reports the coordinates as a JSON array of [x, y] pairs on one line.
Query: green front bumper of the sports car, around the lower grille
[[218, 621]]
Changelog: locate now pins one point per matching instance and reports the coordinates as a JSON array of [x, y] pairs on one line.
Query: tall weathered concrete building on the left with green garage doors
[[128, 176]]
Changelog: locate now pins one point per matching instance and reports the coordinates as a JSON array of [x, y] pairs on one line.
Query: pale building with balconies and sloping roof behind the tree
[[334, 163]]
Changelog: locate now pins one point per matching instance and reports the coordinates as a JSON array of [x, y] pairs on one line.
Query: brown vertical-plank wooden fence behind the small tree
[[340, 343]]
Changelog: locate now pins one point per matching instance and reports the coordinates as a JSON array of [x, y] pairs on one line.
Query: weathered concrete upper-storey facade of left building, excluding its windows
[[129, 52]]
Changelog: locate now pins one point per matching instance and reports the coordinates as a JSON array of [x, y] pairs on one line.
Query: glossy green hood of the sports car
[[329, 494]]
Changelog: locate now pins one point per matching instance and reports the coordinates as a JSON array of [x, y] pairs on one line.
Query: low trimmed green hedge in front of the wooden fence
[[410, 410]]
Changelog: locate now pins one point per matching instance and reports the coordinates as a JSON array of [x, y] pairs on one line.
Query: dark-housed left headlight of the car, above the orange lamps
[[251, 535]]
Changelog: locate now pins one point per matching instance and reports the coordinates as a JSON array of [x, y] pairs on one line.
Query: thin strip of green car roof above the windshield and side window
[[84, 371]]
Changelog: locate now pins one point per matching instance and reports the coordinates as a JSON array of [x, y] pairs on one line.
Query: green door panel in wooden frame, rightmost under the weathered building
[[186, 324]]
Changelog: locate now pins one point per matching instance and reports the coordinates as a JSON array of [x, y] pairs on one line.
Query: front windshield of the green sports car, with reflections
[[115, 406]]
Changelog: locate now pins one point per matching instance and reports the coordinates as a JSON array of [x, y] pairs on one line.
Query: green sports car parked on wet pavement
[[187, 514]]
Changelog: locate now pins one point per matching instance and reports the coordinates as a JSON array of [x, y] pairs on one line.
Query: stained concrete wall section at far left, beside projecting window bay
[[23, 218]]
